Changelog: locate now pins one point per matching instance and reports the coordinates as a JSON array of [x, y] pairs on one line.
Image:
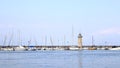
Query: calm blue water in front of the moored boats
[[60, 59]]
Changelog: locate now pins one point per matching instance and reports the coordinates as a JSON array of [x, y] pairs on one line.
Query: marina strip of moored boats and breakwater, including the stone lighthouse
[[80, 46]]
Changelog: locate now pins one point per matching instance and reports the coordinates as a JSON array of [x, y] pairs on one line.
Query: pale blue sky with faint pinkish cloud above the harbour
[[59, 21]]
